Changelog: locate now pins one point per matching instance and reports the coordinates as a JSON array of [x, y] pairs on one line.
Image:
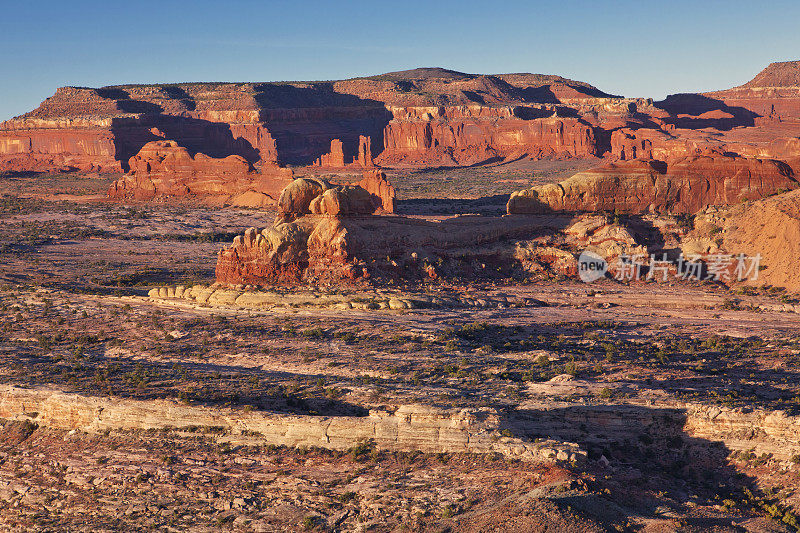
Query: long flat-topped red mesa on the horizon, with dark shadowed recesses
[[100, 129]]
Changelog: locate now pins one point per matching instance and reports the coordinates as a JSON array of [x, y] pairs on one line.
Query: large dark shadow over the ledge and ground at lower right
[[642, 462]]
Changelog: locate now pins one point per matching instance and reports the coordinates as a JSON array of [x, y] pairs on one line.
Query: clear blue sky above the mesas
[[632, 48]]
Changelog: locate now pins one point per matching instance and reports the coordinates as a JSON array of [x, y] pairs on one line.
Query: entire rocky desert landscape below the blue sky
[[229, 307]]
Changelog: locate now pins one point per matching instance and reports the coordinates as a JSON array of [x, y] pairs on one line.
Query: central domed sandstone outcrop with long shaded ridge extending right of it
[[327, 233]]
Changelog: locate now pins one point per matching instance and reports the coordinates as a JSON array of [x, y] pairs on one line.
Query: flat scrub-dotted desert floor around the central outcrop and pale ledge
[[75, 316]]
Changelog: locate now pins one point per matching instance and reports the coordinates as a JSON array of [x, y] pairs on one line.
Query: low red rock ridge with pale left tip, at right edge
[[684, 185]]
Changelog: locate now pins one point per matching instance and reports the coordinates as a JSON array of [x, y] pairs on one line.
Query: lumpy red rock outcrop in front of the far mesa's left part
[[164, 169]]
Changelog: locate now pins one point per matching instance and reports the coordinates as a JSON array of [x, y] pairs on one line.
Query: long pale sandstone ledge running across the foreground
[[427, 429]]
